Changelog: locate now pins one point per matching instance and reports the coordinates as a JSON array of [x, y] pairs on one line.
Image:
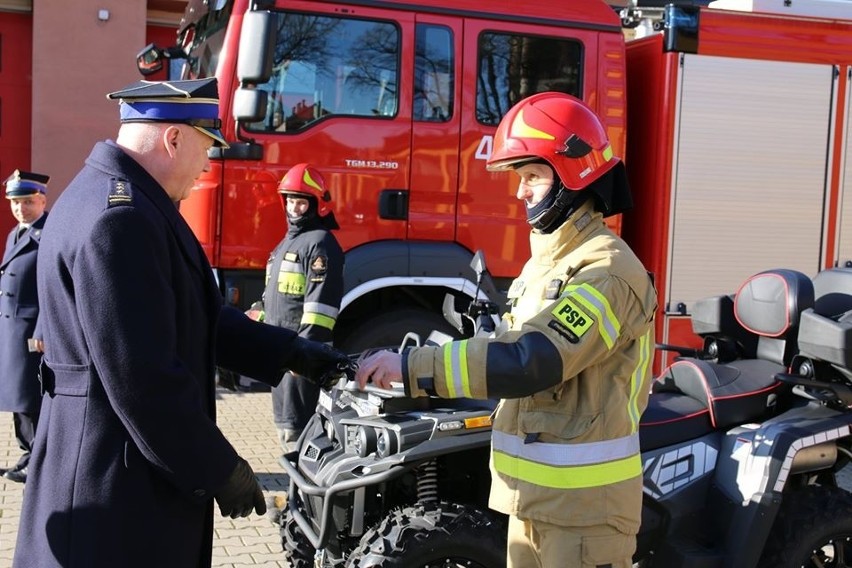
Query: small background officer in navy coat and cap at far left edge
[[19, 387]]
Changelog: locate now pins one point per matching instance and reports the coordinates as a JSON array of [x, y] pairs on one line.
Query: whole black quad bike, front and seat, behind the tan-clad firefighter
[[741, 443]]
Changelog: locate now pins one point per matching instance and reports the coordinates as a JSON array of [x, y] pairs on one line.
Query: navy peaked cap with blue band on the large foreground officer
[[194, 102]]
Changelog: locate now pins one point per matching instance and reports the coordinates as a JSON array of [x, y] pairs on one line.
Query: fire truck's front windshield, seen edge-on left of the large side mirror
[[202, 40]]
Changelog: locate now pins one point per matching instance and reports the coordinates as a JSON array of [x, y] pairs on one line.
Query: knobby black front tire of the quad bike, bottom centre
[[449, 535]]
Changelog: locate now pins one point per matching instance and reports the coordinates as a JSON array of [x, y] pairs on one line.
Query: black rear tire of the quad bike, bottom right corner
[[813, 529]]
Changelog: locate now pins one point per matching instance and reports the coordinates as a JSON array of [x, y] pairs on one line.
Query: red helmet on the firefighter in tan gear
[[559, 129]]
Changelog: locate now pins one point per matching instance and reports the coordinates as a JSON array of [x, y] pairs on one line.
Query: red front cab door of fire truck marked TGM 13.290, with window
[[337, 99]]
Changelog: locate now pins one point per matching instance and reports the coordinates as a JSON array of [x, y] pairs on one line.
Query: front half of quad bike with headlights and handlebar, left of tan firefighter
[[379, 479]]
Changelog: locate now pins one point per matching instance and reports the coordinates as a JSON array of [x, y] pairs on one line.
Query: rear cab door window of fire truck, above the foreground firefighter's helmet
[[513, 67]]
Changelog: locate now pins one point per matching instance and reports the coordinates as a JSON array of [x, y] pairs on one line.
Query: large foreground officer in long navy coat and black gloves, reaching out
[[128, 460]]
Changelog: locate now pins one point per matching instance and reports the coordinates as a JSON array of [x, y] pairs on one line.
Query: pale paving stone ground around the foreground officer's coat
[[246, 420]]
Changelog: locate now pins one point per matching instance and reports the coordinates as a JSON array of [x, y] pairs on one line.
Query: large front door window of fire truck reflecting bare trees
[[325, 66]]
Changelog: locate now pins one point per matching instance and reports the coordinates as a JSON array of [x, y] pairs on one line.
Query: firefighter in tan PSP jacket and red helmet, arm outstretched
[[573, 368]]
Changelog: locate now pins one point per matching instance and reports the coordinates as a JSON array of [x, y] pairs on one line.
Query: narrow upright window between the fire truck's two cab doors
[[433, 74]]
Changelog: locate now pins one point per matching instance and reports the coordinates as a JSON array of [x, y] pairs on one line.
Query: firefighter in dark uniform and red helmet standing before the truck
[[304, 287]]
